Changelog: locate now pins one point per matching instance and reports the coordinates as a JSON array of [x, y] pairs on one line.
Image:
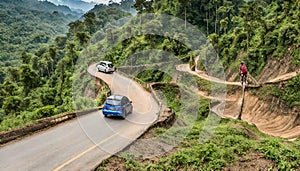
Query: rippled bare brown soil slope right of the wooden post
[[271, 117]]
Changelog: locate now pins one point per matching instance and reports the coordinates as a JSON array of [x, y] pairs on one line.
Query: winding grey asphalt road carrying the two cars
[[82, 143]]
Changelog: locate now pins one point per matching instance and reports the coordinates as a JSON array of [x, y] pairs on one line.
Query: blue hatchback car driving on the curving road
[[117, 105]]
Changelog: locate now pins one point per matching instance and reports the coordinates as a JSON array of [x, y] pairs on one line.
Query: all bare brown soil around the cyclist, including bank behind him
[[270, 117]]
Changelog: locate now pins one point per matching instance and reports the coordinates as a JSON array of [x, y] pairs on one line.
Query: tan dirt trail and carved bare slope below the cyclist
[[269, 119]]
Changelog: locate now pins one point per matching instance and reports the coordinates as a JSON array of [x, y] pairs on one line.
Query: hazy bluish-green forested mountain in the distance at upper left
[[25, 25]]
